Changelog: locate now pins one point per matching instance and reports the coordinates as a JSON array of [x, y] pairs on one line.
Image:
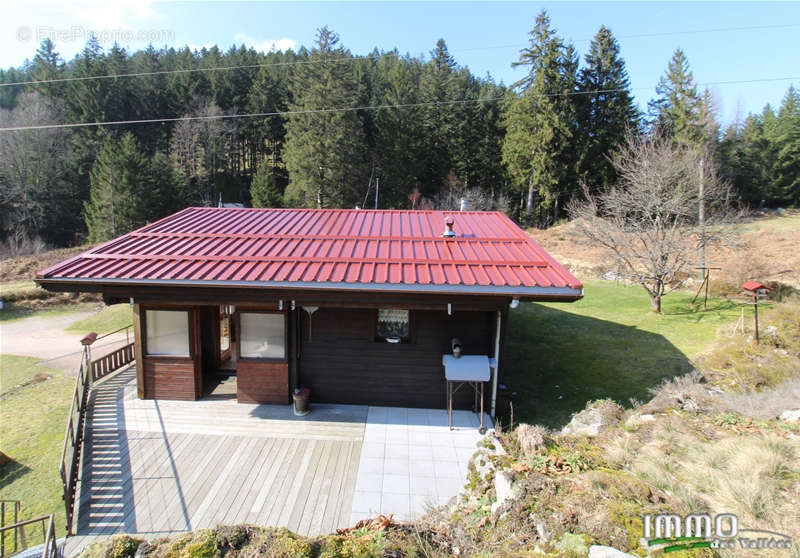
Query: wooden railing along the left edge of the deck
[[90, 371]]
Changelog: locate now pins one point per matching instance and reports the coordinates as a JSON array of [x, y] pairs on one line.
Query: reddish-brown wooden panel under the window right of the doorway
[[259, 381]]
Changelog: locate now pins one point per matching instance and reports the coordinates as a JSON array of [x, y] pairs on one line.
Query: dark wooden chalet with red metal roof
[[358, 305]]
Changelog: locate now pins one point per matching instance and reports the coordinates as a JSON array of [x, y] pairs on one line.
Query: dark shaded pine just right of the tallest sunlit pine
[[607, 111]]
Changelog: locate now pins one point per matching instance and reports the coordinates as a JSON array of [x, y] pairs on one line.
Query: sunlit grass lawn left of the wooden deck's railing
[[33, 421]]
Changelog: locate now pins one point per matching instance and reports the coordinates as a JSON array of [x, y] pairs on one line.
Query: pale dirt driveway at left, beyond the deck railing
[[44, 337]]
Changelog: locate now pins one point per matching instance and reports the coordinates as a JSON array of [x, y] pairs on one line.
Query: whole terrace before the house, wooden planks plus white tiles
[[157, 467]]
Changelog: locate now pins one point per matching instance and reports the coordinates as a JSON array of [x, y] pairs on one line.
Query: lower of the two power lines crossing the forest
[[351, 109]]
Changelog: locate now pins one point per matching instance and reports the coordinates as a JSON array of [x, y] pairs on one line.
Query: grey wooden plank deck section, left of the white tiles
[[160, 467]]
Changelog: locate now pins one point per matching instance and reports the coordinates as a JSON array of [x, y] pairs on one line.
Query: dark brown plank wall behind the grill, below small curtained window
[[341, 361]]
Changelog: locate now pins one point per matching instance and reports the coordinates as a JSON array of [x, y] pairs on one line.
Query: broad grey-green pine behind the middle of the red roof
[[325, 152]]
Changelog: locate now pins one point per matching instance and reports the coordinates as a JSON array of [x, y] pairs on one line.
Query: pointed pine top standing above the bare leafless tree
[[677, 109]]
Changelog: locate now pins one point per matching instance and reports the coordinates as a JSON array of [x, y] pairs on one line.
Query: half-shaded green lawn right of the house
[[559, 356]]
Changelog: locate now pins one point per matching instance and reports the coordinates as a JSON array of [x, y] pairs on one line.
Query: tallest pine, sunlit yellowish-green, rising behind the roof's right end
[[541, 121]]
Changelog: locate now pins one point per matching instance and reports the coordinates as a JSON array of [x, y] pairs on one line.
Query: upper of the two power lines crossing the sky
[[366, 57]]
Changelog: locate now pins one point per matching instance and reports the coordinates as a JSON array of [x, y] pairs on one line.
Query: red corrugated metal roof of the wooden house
[[326, 248]]
